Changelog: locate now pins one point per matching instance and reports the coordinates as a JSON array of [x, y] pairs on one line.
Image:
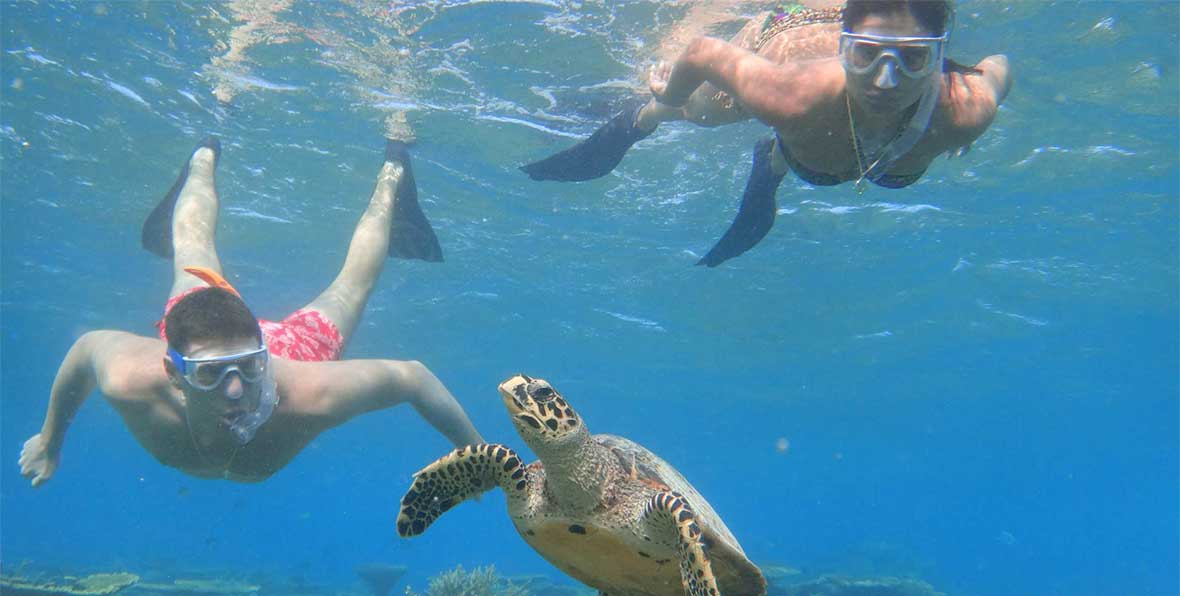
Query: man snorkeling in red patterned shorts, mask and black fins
[[222, 395]]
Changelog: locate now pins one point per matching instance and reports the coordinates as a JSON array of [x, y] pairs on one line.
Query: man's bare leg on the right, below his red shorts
[[344, 302]]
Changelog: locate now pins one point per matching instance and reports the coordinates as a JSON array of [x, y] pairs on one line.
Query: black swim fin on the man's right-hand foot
[[411, 235]]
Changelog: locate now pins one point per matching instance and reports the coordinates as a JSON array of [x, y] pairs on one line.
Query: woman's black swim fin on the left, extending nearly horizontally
[[596, 156]]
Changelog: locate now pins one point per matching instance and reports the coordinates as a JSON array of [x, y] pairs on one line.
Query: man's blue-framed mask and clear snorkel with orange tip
[[252, 366]]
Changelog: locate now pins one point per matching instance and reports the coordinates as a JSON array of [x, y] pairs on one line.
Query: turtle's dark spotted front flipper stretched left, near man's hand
[[456, 477]]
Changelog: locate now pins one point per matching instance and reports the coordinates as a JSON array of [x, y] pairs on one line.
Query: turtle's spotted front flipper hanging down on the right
[[668, 512]]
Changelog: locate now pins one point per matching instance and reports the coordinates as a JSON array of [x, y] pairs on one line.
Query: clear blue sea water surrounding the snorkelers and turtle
[[976, 377]]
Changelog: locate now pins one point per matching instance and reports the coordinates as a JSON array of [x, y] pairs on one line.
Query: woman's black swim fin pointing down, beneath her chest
[[756, 217]]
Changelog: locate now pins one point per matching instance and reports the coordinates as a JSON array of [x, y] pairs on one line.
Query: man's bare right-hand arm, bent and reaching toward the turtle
[[353, 388]]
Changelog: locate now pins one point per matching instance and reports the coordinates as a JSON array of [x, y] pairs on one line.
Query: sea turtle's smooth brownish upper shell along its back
[[732, 568]]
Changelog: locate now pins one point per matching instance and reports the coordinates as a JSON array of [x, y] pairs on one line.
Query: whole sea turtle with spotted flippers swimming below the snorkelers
[[601, 508]]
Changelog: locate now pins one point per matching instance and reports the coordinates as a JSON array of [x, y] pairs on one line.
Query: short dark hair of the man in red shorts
[[209, 315]]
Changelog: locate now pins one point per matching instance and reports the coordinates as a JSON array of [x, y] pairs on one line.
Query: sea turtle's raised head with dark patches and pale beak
[[539, 412]]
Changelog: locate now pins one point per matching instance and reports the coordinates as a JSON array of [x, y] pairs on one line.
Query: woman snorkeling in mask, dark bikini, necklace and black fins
[[863, 94]]
